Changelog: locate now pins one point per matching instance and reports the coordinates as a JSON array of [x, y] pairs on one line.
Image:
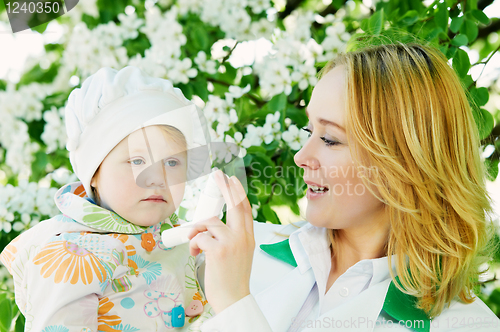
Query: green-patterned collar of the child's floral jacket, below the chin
[[73, 202]]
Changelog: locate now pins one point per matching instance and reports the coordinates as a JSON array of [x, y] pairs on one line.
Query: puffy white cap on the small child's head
[[112, 104]]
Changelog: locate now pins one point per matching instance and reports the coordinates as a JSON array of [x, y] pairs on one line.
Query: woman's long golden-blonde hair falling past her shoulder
[[409, 115]]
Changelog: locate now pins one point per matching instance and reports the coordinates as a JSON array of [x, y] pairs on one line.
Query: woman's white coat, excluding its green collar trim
[[278, 291]]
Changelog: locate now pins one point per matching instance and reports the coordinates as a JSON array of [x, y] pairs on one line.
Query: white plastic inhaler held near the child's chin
[[209, 205]]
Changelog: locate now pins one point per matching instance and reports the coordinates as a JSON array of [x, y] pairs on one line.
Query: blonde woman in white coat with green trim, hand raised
[[397, 215]]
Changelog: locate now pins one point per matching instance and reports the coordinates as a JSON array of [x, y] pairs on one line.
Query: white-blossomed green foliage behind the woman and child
[[256, 103]]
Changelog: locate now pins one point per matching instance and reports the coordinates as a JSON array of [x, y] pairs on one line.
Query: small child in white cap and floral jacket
[[101, 265]]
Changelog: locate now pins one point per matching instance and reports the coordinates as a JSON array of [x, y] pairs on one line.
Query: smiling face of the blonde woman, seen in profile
[[326, 160]]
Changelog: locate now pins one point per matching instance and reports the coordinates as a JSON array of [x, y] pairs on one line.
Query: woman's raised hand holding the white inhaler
[[228, 248]]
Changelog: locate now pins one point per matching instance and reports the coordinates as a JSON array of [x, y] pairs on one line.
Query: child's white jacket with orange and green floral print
[[88, 269]]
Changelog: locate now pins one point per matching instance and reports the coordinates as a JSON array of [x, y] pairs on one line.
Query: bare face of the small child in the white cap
[[123, 191]]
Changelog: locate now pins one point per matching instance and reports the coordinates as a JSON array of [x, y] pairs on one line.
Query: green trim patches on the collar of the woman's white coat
[[397, 304]]
